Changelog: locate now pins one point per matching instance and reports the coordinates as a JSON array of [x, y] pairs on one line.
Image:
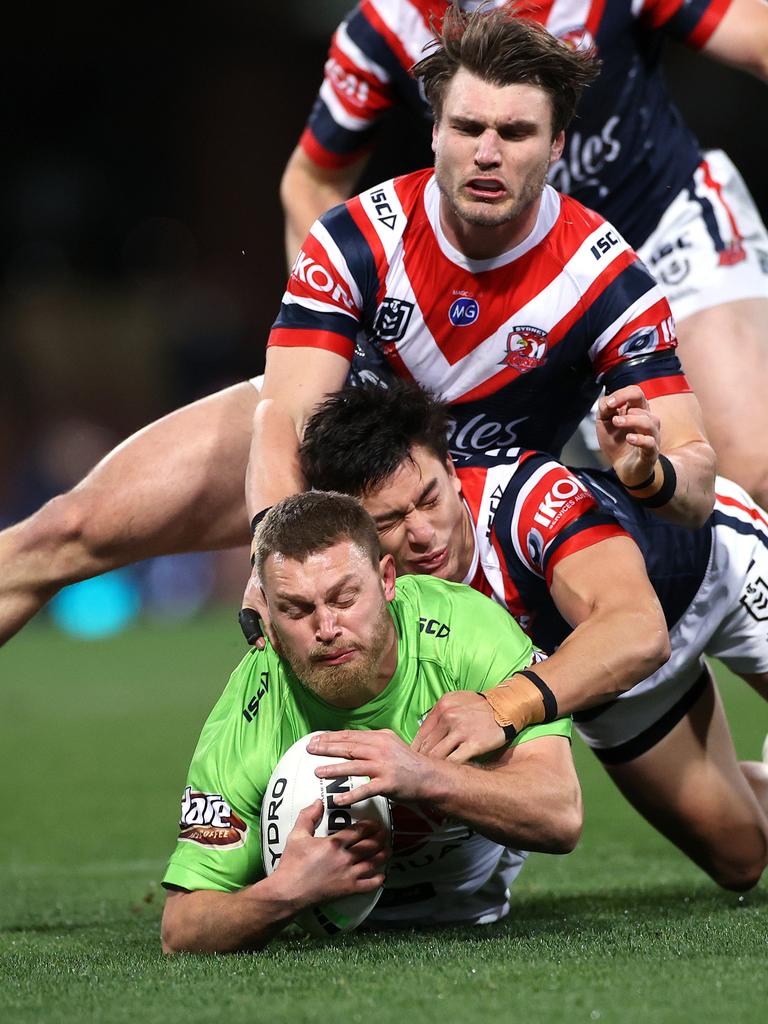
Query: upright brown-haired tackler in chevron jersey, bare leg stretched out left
[[479, 281]]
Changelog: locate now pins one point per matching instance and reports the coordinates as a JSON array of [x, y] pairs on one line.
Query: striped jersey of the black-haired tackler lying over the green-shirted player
[[532, 513]]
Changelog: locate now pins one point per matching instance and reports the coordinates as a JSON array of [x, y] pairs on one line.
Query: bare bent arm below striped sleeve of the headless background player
[[308, 190]]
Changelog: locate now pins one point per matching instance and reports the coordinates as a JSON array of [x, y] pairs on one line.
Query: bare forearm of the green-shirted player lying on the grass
[[209, 922]]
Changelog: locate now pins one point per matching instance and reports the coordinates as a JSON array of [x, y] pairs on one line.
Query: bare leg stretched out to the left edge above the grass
[[177, 486]]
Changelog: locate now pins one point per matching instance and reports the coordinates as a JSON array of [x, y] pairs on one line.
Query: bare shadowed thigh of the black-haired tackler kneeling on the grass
[[692, 788]]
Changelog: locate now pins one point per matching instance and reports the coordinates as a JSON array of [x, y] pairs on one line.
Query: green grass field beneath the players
[[95, 744]]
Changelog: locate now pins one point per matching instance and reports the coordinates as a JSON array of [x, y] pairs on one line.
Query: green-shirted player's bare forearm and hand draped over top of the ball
[[529, 798]]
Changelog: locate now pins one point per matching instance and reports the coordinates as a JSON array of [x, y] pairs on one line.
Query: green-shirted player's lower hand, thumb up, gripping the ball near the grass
[[316, 869]]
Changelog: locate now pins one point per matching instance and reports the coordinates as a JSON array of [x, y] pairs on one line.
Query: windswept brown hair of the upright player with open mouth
[[504, 50]]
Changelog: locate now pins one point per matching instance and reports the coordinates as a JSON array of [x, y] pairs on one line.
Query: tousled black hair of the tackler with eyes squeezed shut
[[360, 437]]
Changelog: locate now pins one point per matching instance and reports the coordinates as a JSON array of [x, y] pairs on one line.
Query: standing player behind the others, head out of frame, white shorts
[[630, 157]]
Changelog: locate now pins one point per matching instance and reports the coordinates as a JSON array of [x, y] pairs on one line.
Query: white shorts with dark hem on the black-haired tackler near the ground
[[728, 619]]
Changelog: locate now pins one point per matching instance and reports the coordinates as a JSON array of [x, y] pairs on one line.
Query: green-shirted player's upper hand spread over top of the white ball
[[395, 769]]
